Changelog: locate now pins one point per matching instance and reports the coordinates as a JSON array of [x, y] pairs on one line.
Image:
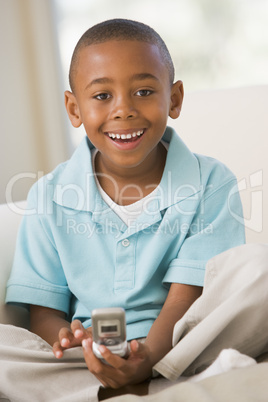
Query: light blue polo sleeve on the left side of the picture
[[37, 276]]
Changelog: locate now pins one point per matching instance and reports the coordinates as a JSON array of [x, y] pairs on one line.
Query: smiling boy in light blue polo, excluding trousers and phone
[[132, 218]]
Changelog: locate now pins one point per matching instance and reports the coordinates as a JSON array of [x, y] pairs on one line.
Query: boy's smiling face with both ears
[[123, 98]]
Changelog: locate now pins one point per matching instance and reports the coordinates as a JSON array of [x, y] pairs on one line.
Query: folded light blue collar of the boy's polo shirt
[[76, 188]]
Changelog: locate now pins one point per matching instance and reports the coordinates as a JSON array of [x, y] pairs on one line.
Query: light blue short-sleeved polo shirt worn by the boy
[[75, 254]]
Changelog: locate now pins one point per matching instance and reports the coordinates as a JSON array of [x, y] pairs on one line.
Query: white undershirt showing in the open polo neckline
[[128, 213]]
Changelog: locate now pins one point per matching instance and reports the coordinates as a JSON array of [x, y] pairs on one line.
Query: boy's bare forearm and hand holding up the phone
[[143, 357]]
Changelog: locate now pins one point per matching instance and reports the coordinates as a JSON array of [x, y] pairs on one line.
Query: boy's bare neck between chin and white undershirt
[[126, 186]]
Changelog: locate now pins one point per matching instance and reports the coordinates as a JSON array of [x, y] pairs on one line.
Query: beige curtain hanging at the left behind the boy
[[32, 123]]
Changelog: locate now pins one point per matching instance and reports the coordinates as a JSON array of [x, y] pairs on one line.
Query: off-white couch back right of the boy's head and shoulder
[[232, 126]]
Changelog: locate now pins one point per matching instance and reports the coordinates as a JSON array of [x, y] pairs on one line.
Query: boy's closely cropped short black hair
[[121, 29]]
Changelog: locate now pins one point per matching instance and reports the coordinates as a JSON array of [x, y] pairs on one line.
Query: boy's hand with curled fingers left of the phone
[[71, 337]]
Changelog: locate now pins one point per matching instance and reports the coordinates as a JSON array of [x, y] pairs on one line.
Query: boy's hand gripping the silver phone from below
[[119, 372]]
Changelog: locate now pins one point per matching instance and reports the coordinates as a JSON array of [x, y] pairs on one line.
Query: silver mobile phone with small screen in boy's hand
[[109, 329]]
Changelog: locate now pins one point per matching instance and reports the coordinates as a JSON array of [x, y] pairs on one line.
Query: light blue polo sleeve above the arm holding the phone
[[214, 229]]
